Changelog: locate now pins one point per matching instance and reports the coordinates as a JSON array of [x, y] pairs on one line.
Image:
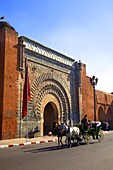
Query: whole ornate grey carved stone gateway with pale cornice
[[51, 91]]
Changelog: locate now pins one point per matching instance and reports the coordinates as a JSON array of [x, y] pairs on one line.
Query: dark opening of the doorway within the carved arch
[[50, 117]]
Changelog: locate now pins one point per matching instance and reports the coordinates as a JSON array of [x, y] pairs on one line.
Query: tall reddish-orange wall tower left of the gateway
[[8, 81]]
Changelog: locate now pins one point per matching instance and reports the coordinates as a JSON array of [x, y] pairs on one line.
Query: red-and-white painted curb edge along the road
[[27, 143]]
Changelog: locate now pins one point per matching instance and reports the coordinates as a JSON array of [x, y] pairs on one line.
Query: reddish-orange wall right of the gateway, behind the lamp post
[[104, 101]]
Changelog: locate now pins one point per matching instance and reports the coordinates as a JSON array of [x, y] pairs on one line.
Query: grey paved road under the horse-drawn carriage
[[96, 156]]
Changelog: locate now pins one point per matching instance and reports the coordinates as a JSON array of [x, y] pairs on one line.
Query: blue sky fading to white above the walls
[[80, 29]]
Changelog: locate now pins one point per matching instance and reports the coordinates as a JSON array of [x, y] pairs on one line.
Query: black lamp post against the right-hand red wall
[[94, 82]]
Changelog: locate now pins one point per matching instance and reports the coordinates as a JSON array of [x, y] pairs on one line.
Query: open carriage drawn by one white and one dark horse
[[79, 133]]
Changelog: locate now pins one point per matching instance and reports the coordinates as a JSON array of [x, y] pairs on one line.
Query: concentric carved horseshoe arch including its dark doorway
[[51, 98]]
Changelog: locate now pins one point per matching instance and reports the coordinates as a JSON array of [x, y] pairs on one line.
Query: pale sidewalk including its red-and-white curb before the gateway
[[24, 141]]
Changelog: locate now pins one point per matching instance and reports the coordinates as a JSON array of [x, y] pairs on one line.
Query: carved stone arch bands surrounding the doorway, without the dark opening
[[49, 84]]
